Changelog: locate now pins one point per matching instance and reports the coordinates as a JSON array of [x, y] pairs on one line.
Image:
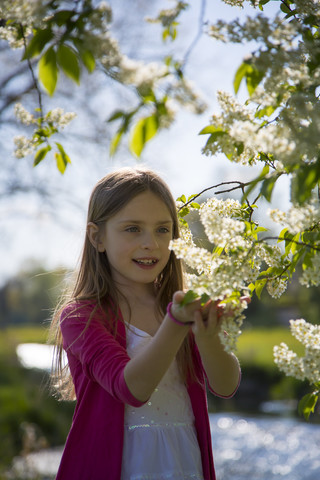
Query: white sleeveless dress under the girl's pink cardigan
[[160, 441]]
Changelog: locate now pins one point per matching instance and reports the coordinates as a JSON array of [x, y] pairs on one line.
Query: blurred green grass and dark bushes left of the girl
[[30, 418]]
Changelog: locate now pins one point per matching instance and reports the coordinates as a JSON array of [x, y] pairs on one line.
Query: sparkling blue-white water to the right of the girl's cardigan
[[266, 448]]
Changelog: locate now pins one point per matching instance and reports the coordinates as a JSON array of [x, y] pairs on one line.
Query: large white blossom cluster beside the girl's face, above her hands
[[226, 273]]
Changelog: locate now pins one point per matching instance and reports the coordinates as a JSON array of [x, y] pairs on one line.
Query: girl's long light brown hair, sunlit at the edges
[[94, 281]]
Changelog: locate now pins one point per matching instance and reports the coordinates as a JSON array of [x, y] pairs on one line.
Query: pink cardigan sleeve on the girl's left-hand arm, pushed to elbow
[[101, 356]]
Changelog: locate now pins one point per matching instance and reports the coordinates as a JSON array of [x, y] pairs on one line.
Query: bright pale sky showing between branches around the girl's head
[[55, 238]]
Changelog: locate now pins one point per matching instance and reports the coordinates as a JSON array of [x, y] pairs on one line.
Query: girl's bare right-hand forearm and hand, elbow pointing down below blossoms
[[222, 368]]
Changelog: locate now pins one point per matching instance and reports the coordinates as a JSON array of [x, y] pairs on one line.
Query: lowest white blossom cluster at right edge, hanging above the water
[[302, 368]]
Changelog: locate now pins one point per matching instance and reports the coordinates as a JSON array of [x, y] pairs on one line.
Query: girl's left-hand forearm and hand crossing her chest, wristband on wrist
[[144, 372]]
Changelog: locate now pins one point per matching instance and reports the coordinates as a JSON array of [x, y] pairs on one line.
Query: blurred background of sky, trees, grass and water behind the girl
[[257, 434]]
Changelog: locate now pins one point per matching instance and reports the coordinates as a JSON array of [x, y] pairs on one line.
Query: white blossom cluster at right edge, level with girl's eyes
[[297, 218]]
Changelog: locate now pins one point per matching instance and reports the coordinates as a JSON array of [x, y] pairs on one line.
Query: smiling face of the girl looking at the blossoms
[[136, 240]]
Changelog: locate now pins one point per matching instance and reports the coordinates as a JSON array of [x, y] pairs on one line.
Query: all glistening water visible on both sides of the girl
[[244, 448]]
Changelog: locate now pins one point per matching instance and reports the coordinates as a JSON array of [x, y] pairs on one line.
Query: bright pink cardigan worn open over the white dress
[[93, 450]]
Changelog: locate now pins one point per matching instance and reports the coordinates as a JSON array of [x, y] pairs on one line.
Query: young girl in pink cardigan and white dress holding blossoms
[[137, 360]]
